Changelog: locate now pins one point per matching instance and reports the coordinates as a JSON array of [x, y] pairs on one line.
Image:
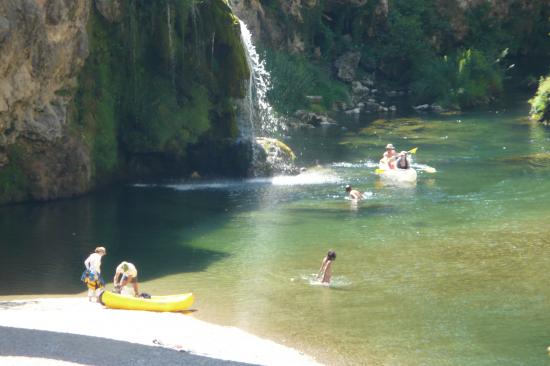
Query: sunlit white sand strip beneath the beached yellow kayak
[[175, 330]]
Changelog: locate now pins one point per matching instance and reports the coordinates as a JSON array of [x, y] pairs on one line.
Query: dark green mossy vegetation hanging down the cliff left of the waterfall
[[159, 80]]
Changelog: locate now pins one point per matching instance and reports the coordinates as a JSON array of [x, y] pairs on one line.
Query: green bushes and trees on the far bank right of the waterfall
[[442, 52]]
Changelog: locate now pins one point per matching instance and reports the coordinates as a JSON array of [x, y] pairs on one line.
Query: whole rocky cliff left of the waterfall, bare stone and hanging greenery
[[94, 91]]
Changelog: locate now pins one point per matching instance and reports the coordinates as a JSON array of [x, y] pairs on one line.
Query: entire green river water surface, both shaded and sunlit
[[451, 271]]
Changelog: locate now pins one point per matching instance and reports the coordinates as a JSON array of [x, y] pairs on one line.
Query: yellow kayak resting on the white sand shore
[[155, 303]]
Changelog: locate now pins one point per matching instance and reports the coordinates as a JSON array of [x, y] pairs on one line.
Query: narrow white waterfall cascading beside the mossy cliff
[[257, 116]]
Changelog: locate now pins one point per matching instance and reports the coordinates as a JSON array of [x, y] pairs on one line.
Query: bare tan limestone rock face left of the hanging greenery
[[43, 45]]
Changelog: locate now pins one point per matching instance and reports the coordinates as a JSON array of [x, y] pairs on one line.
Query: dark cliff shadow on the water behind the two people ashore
[[44, 245]]
